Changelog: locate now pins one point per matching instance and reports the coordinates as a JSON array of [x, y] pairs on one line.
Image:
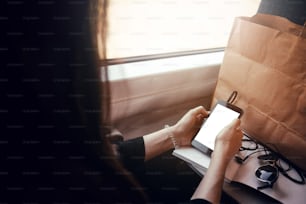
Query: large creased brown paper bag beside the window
[[265, 62]]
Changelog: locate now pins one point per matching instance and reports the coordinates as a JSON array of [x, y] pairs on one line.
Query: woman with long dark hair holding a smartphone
[[53, 146]]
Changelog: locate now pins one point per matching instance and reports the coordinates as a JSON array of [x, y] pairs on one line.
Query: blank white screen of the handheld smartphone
[[218, 119]]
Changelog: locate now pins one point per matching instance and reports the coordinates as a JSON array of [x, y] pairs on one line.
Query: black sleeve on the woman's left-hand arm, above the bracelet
[[131, 153]]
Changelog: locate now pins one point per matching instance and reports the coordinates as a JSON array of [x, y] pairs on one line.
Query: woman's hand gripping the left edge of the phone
[[185, 129]]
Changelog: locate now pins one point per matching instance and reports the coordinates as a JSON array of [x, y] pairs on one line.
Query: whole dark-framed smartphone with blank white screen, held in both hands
[[221, 115]]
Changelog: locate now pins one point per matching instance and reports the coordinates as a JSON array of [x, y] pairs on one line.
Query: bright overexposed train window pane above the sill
[[146, 27]]
